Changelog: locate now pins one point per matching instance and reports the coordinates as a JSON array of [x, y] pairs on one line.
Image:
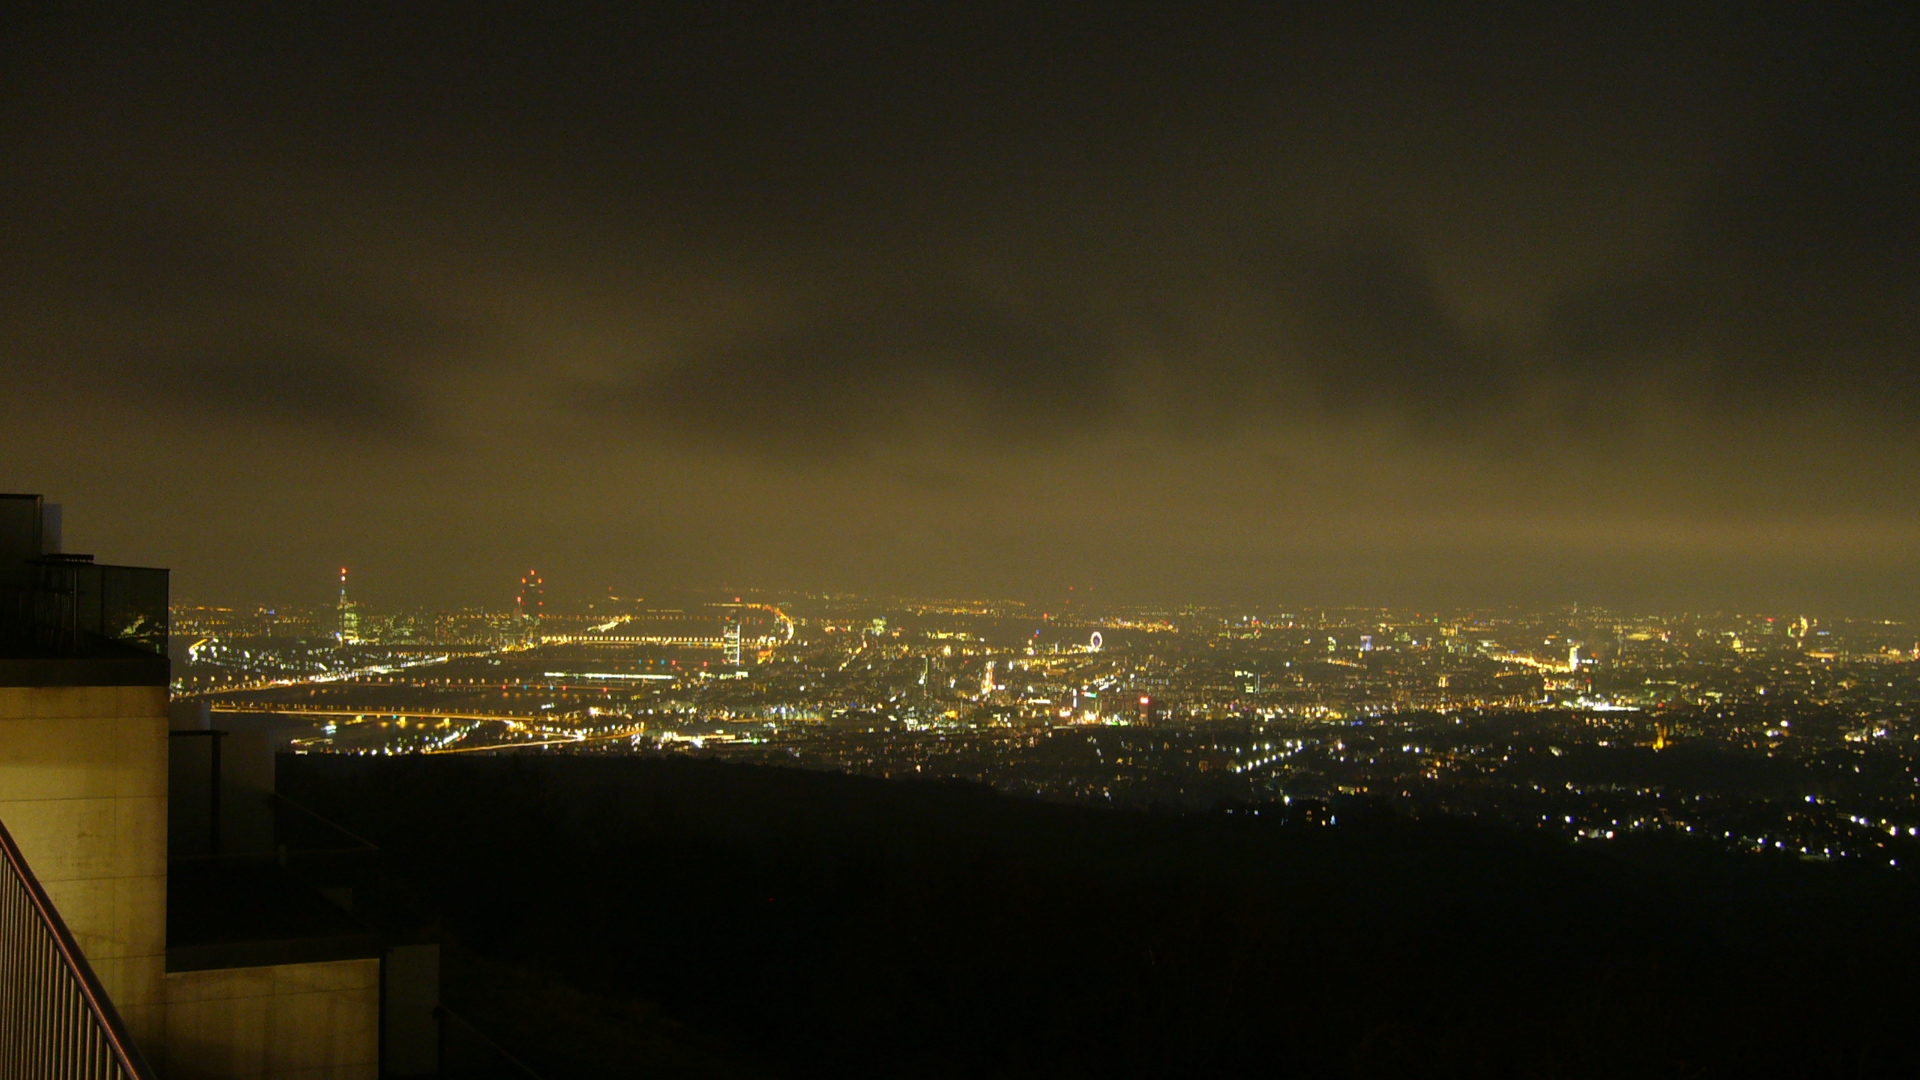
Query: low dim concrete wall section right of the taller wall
[[316, 1021]]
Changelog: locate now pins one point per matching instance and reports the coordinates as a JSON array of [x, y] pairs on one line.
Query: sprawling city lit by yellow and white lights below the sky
[[1750, 733]]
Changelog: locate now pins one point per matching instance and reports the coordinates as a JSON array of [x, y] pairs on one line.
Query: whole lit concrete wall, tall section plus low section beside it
[[84, 789]]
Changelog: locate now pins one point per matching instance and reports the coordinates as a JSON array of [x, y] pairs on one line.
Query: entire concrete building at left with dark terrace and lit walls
[[220, 962]]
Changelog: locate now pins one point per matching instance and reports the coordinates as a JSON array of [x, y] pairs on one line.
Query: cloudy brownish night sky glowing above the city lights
[[1280, 305]]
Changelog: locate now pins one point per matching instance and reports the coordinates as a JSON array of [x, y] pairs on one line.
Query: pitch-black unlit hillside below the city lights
[[644, 918]]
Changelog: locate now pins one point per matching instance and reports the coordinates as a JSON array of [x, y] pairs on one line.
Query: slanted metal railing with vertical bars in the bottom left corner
[[57, 1023]]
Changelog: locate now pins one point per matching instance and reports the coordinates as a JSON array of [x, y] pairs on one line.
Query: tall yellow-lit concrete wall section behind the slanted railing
[[84, 789]]
